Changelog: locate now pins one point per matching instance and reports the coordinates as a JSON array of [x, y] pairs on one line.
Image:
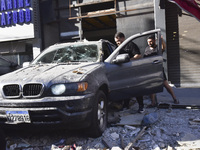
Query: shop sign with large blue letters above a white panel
[[16, 19]]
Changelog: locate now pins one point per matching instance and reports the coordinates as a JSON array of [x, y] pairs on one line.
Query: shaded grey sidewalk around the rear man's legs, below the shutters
[[186, 96]]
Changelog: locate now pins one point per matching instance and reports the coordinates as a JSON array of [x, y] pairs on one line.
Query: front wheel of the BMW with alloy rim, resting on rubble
[[99, 115]]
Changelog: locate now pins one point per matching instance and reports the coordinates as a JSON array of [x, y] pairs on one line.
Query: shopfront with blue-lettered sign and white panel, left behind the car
[[19, 30]]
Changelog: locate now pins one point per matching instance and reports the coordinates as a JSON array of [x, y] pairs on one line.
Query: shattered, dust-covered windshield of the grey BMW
[[69, 53]]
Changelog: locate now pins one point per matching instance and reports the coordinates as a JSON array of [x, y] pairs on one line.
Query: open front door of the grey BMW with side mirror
[[137, 77]]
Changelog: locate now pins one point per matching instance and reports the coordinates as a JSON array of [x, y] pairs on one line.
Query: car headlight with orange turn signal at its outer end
[[69, 88]]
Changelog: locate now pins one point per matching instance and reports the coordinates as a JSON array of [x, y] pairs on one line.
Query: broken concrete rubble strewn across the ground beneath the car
[[170, 129]]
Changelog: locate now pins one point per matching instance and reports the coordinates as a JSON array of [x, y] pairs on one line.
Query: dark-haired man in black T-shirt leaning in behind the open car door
[[134, 53]]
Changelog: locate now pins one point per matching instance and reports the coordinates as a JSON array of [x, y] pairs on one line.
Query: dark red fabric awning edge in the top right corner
[[190, 6]]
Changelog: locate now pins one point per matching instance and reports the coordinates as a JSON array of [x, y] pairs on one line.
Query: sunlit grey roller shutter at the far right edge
[[189, 38]]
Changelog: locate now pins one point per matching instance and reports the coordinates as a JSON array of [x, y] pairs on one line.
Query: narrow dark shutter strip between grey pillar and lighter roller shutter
[[172, 32]]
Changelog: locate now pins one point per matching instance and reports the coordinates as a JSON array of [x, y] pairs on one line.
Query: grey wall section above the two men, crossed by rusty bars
[[135, 16]]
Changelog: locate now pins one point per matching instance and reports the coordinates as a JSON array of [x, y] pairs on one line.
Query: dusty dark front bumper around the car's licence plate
[[71, 111]]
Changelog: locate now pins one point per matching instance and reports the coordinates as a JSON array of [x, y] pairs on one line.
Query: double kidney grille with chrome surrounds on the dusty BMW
[[28, 90]]
